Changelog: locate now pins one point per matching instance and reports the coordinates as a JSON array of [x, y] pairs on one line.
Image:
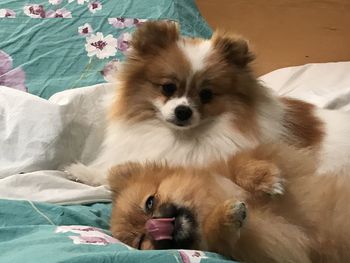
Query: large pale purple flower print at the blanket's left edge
[[12, 78]]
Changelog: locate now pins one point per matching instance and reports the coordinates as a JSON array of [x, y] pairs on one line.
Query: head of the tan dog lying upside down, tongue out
[[158, 207]]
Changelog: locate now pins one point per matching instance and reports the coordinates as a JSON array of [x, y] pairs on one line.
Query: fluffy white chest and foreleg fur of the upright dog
[[154, 141]]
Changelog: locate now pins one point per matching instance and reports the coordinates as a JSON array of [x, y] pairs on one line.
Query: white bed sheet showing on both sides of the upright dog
[[38, 137]]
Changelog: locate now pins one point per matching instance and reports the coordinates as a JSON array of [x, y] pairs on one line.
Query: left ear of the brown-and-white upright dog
[[154, 35]]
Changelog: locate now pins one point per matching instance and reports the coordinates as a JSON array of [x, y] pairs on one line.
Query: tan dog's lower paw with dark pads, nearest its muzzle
[[235, 213]]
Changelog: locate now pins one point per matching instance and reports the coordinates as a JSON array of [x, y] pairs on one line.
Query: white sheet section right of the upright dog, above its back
[[326, 85]]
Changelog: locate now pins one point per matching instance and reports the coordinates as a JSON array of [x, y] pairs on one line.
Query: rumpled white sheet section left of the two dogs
[[39, 137]]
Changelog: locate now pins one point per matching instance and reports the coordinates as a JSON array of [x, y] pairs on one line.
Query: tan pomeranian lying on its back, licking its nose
[[225, 208]]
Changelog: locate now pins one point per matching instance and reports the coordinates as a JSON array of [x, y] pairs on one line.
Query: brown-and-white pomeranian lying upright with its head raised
[[193, 101]]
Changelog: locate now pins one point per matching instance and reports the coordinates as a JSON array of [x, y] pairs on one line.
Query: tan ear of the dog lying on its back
[[120, 175]]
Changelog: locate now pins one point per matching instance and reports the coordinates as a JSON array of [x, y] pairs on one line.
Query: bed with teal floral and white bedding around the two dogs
[[47, 122]]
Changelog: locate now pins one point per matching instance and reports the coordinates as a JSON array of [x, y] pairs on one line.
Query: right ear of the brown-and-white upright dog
[[235, 49]]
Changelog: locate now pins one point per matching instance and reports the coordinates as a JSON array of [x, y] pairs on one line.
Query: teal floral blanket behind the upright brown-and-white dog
[[51, 45]]
